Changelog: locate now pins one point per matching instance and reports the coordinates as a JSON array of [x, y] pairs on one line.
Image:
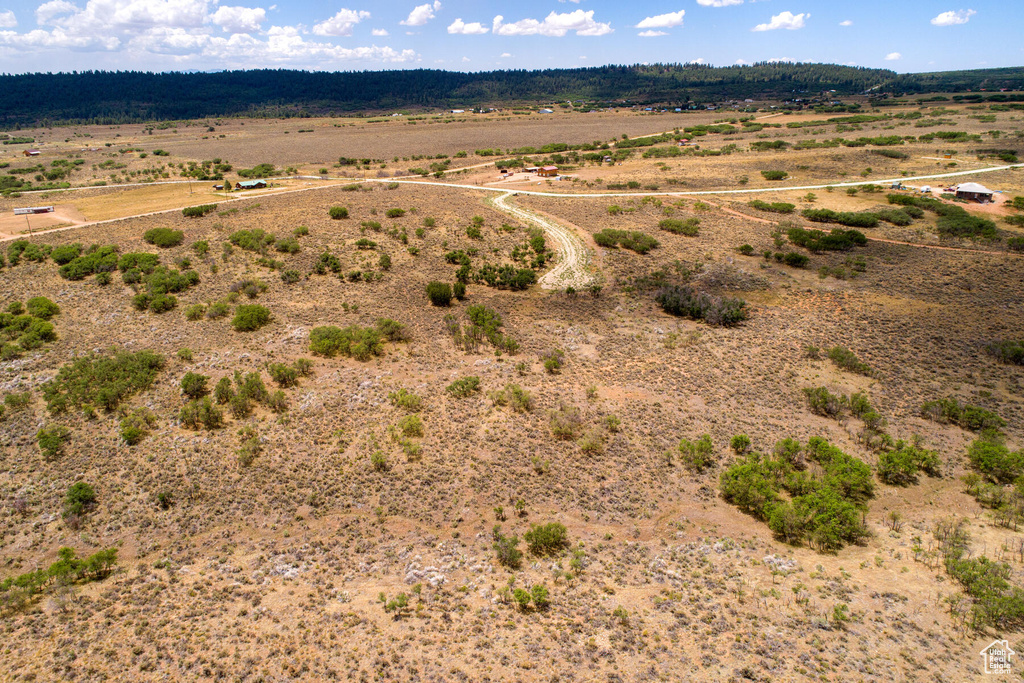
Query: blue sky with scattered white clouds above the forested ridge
[[467, 35]]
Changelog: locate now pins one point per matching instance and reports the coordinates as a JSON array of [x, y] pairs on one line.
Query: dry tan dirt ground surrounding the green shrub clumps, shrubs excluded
[[272, 571]]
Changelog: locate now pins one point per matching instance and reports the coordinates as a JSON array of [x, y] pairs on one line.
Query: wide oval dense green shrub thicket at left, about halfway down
[[103, 381]]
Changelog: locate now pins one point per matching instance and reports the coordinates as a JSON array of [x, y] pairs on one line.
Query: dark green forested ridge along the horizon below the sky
[[110, 98]]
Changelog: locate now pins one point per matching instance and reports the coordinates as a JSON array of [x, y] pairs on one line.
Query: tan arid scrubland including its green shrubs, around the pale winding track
[[516, 487]]
